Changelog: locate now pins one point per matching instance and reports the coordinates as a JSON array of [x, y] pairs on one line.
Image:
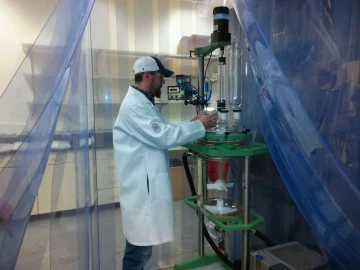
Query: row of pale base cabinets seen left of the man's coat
[[61, 189]]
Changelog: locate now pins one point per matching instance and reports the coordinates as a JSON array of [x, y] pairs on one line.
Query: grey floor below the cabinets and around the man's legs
[[68, 246]]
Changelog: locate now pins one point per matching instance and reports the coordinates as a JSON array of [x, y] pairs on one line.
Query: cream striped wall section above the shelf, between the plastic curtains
[[146, 26]]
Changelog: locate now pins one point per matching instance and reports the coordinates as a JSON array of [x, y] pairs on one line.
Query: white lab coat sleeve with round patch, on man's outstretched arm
[[143, 123]]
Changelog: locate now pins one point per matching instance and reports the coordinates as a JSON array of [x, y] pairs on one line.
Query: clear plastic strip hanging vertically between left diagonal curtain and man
[[82, 241]]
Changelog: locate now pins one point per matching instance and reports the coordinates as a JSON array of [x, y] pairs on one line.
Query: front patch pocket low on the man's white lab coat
[[160, 187]]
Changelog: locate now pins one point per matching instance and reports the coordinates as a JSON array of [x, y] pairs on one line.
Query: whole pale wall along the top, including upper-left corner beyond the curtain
[[152, 26]]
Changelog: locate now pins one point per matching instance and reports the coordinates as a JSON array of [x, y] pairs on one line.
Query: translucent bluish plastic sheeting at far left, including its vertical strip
[[29, 112]]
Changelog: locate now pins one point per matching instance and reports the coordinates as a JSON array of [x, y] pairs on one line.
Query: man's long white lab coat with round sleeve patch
[[141, 142]]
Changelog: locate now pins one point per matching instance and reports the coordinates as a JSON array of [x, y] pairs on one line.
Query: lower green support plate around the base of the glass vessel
[[229, 223]]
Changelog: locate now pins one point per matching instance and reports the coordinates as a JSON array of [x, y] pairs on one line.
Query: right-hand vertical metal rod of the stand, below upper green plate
[[246, 216]]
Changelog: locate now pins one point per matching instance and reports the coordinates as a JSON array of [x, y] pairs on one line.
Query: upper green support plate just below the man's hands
[[228, 149]]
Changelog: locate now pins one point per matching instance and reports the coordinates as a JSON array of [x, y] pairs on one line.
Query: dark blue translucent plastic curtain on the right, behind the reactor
[[313, 52]]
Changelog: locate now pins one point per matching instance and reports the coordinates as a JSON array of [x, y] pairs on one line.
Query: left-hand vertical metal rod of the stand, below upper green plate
[[200, 197]]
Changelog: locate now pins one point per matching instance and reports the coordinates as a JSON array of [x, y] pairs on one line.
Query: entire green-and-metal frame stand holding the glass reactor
[[230, 224]]
